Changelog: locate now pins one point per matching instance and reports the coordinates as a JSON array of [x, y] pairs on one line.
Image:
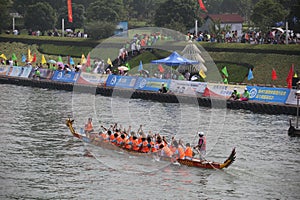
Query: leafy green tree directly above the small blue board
[[106, 10]]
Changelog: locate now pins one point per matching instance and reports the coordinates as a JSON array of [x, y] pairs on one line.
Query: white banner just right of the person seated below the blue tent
[[187, 87]]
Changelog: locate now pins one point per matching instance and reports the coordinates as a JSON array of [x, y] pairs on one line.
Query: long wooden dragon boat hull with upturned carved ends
[[88, 138]]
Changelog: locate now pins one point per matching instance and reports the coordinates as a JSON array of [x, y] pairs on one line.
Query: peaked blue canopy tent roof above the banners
[[175, 60]]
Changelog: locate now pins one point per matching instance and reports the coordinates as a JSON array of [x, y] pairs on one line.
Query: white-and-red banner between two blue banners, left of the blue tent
[[92, 79]]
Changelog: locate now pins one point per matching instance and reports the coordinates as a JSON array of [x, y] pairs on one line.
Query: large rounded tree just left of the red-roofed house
[[183, 12]]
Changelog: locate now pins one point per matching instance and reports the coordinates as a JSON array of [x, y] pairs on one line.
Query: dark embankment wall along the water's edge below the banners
[[253, 106]]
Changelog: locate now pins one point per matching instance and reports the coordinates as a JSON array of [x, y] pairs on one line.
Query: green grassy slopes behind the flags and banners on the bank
[[235, 57]]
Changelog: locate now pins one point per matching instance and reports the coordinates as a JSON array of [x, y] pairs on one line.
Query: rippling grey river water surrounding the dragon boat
[[41, 160]]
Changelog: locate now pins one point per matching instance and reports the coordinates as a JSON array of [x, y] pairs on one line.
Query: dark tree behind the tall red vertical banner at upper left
[[78, 13]]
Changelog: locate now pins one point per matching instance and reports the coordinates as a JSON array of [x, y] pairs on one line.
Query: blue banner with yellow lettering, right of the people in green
[[268, 94]]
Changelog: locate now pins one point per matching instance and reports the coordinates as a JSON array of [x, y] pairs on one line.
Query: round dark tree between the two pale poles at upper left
[[40, 16]]
